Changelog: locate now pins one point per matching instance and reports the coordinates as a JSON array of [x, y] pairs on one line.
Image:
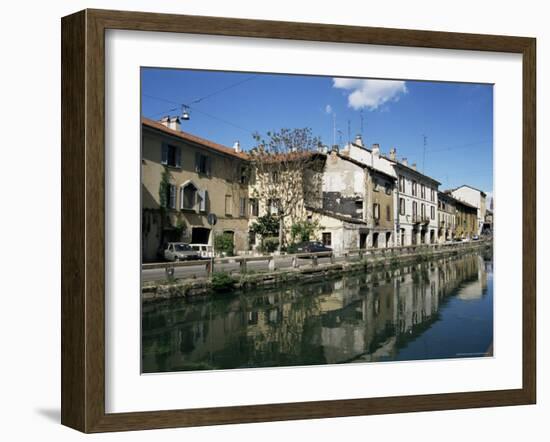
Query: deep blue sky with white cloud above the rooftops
[[457, 118]]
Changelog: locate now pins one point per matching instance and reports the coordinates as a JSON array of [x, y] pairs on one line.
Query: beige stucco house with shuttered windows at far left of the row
[[202, 178]]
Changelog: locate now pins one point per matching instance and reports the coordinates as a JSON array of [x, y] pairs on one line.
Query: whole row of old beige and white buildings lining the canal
[[356, 196]]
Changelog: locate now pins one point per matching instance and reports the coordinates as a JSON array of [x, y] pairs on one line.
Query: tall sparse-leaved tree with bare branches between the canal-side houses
[[287, 169]]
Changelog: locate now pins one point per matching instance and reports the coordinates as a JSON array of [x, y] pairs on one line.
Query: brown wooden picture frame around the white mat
[[83, 220]]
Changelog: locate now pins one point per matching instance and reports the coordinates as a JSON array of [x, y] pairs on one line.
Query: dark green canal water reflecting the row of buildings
[[435, 310]]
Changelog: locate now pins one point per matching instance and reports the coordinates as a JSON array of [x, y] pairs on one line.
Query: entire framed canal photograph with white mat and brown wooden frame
[[268, 221]]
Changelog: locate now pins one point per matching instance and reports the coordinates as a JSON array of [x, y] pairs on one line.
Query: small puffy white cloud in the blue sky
[[370, 94]]
